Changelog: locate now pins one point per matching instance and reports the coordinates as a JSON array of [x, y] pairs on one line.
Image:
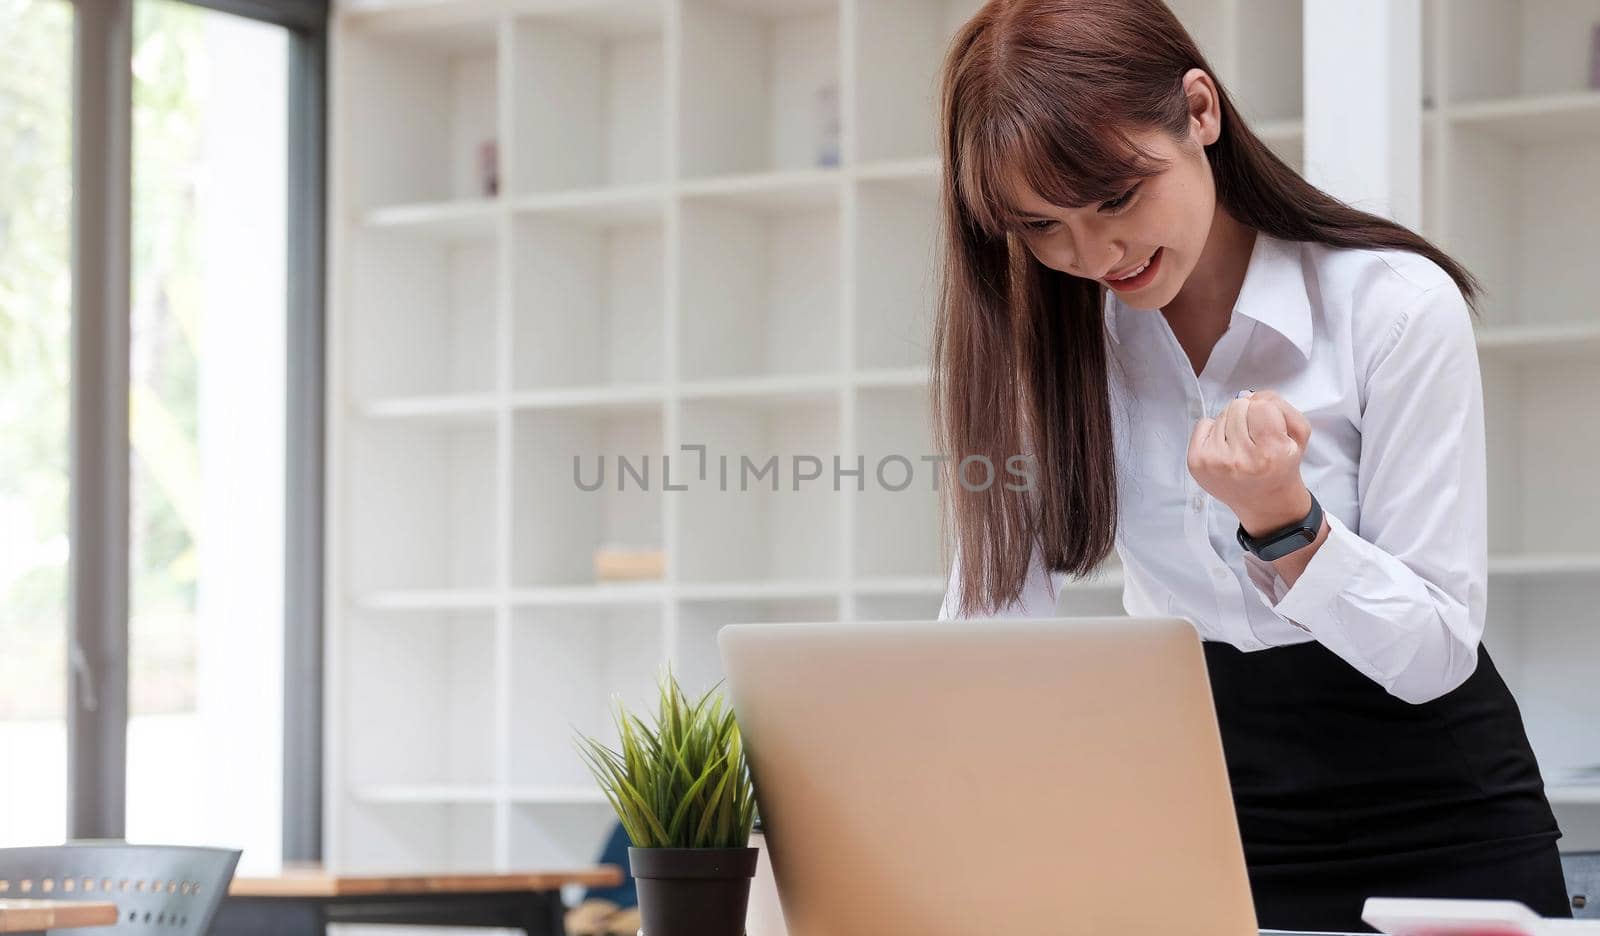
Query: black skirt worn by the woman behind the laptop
[[1346, 793]]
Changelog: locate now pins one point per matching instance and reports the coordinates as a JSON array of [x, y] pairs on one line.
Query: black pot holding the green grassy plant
[[694, 892]]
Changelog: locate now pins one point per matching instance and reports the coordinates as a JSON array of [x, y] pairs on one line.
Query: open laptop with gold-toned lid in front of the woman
[[948, 778]]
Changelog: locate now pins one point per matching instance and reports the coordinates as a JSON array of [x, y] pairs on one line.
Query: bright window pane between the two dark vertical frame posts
[[207, 430]]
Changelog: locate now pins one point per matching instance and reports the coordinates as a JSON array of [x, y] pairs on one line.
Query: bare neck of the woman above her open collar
[[1204, 308]]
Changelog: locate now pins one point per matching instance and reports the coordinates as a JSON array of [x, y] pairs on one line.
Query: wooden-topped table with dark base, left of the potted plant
[[303, 902]]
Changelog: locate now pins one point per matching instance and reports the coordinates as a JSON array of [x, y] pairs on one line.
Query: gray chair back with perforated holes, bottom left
[[167, 890]]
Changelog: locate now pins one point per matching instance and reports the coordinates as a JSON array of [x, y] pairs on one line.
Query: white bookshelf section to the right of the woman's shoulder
[[1511, 146]]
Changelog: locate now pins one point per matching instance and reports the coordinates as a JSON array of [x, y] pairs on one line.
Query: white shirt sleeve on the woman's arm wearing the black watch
[[1404, 598]]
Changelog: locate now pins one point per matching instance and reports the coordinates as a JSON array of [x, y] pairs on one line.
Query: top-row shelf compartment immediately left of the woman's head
[[900, 47]]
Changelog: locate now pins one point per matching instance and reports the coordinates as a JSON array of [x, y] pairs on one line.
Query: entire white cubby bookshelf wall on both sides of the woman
[[671, 258]]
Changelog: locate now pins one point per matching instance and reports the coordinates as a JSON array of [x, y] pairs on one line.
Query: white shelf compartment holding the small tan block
[[558, 522]]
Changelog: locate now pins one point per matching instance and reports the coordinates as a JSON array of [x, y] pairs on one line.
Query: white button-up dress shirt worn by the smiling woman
[[1377, 350]]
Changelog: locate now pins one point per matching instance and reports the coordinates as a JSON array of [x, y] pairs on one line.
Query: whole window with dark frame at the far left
[[161, 374]]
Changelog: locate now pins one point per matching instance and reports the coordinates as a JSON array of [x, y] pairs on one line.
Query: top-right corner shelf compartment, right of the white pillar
[[1518, 49]]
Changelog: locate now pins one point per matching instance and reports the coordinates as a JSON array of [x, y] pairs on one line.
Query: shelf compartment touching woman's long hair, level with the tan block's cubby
[[898, 503]]
